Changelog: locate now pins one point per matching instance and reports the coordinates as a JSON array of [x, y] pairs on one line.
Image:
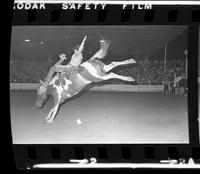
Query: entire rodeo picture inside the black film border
[[128, 84]]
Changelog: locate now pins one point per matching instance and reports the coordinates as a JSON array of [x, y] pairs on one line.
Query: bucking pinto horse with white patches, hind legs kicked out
[[88, 72]]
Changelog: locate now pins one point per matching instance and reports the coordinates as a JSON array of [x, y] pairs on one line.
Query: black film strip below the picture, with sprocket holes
[[29, 155]]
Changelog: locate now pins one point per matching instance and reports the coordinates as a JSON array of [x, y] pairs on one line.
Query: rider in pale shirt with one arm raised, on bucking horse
[[75, 61]]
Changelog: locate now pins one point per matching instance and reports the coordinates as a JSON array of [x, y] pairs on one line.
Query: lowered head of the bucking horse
[[41, 95]]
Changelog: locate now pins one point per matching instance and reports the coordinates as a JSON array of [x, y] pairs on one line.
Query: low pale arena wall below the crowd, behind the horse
[[108, 87]]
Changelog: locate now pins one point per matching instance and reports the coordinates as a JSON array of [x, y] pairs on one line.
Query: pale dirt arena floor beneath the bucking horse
[[101, 117]]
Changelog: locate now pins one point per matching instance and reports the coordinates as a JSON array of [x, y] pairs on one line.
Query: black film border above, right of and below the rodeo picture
[[28, 155]]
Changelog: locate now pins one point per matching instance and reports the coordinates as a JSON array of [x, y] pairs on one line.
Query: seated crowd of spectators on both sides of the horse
[[145, 72]]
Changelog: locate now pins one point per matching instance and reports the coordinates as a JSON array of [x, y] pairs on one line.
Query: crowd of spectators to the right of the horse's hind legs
[[147, 72]]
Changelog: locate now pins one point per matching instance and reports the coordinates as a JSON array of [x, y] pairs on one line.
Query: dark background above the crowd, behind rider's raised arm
[[47, 42]]
